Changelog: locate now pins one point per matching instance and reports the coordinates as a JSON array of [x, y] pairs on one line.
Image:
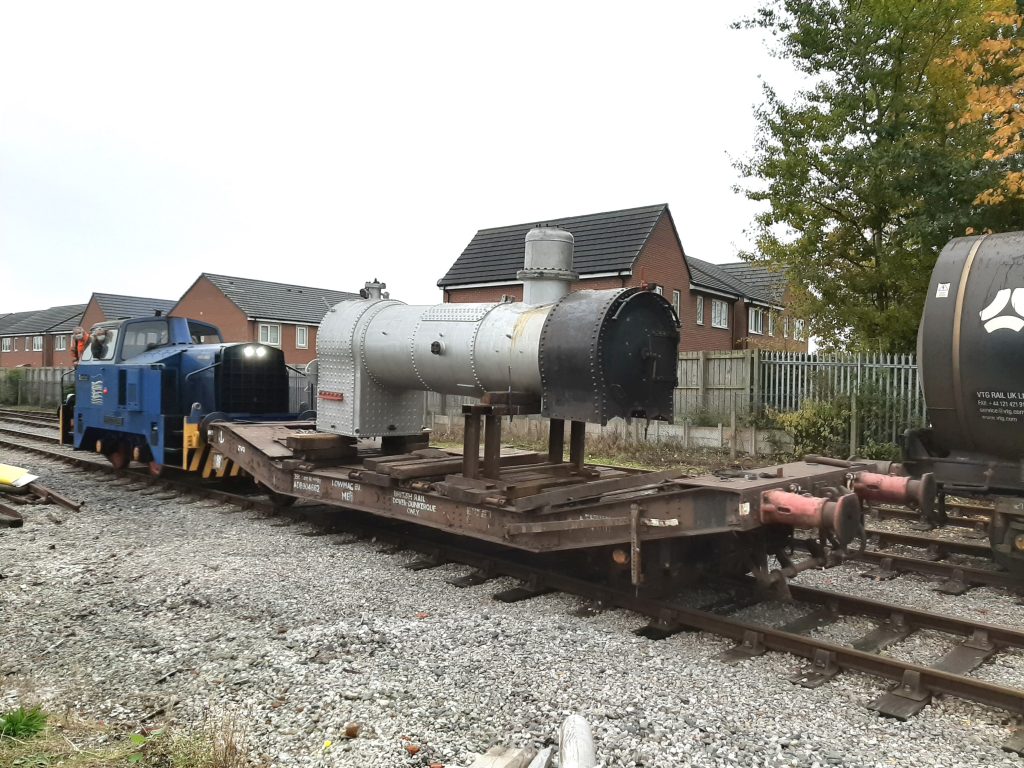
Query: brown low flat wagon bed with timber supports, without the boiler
[[526, 501]]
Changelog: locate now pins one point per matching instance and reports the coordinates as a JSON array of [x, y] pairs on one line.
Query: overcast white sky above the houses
[[331, 144]]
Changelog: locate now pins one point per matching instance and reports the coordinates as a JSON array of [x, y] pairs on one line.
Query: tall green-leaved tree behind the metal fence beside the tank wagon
[[869, 173]]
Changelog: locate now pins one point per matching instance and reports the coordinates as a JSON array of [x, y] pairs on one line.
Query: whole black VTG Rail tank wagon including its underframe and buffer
[[971, 358]]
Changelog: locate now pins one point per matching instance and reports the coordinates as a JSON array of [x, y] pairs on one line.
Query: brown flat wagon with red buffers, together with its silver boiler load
[[576, 358]]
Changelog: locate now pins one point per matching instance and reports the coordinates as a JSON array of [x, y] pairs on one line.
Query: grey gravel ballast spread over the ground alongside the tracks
[[137, 609]]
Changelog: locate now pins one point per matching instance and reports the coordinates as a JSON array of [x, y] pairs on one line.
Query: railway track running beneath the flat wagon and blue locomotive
[[971, 644]]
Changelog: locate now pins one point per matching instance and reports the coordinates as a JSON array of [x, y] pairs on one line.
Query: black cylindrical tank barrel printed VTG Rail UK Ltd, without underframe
[[971, 346]]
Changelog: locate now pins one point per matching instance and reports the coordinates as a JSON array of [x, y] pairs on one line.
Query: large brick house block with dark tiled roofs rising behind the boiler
[[718, 309]]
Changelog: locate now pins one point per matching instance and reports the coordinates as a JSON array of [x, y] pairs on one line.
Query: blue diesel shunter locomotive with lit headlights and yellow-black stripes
[[145, 388]]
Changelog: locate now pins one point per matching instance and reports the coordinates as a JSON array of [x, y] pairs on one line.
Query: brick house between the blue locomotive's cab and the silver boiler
[[277, 314]]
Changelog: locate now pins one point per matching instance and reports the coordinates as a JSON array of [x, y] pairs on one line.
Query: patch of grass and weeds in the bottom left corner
[[73, 743]]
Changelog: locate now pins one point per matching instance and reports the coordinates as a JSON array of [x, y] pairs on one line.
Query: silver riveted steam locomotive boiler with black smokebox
[[585, 357]]
